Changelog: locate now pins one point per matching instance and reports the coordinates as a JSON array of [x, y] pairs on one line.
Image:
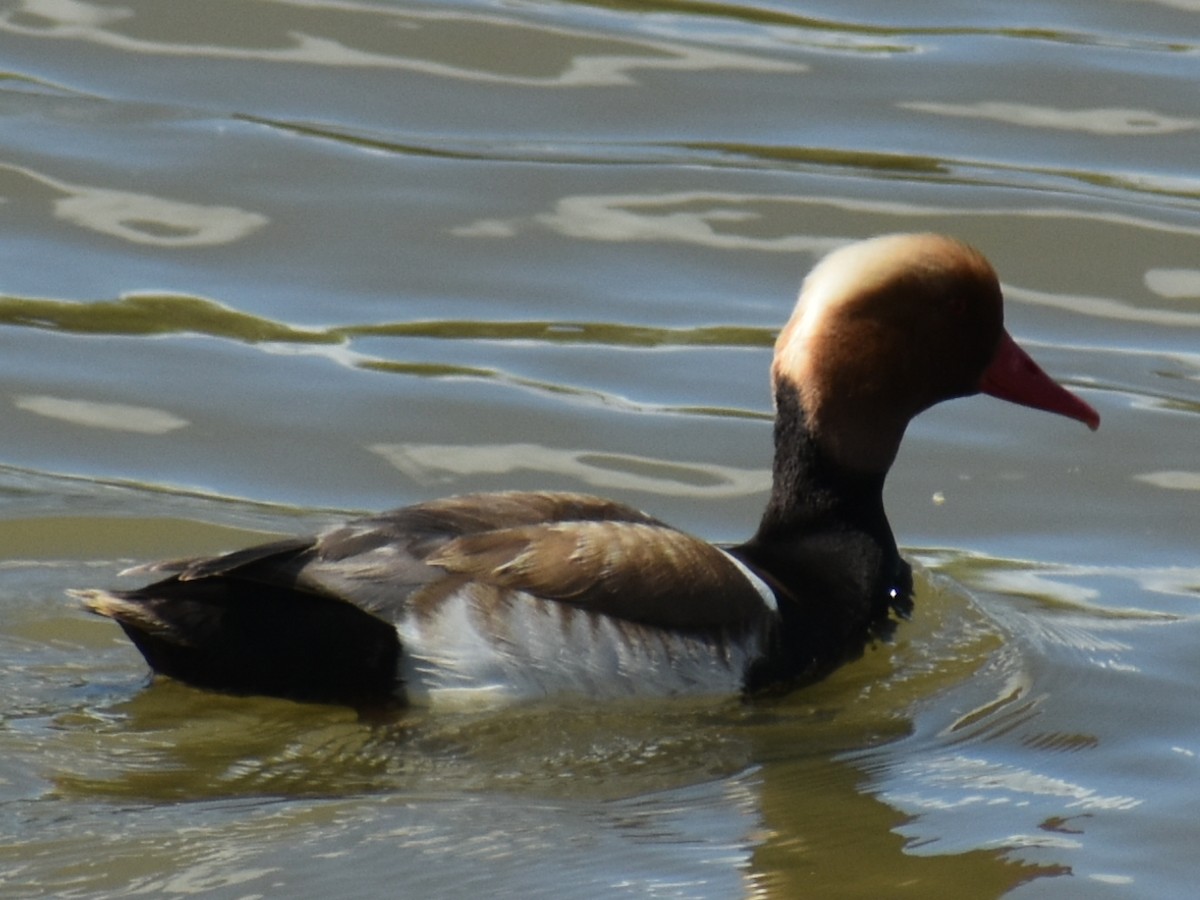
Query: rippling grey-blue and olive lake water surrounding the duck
[[268, 263]]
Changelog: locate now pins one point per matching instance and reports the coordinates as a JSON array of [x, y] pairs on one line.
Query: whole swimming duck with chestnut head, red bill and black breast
[[508, 596]]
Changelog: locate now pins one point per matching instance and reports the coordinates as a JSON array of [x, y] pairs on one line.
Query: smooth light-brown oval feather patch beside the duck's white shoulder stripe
[[638, 572]]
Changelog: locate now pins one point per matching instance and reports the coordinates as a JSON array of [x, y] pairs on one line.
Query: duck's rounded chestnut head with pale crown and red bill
[[885, 329]]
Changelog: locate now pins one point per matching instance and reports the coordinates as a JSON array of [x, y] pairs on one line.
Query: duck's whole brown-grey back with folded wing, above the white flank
[[567, 548]]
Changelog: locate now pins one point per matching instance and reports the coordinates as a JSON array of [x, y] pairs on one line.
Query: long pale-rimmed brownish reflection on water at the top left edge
[[581, 59]]
